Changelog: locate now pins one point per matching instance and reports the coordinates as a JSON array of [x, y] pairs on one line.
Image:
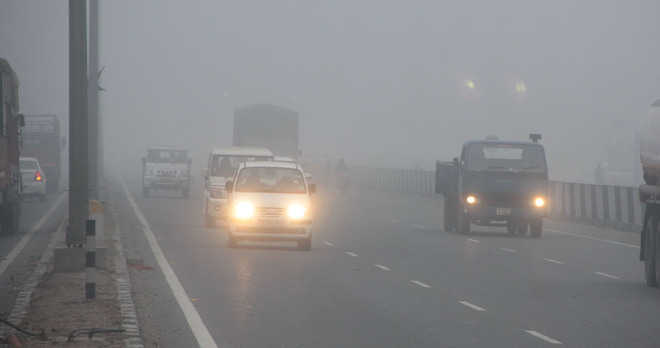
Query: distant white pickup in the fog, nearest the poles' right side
[[165, 168]]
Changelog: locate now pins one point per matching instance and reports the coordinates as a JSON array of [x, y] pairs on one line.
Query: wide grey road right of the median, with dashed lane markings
[[382, 274]]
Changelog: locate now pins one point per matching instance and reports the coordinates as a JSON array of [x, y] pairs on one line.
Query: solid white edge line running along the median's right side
[[199, 330]]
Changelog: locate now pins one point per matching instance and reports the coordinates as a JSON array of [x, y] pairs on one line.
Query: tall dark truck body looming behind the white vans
[[270, 126]]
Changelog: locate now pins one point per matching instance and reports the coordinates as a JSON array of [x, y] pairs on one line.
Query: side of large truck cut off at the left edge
[[11, 123]]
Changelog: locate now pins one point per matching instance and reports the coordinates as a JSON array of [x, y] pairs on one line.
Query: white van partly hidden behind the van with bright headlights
[[222, 163]]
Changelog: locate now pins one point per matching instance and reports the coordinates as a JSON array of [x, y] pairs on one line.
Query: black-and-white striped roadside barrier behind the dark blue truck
[[617, 207]]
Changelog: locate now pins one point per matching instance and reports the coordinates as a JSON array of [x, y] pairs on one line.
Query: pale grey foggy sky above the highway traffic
[[377, 81]]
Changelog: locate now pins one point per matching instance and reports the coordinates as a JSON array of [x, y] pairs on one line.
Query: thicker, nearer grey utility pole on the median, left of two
[[78, 153]]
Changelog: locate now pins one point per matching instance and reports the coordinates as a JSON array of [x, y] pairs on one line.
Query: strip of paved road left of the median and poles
[[20, 251]]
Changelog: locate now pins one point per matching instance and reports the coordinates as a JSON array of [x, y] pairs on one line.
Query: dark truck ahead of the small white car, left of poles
[[42, 140]]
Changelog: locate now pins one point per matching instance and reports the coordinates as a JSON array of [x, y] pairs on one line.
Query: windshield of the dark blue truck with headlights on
[[506, 157]]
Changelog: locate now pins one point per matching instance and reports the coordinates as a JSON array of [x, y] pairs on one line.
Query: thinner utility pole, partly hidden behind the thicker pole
[[93, 95]]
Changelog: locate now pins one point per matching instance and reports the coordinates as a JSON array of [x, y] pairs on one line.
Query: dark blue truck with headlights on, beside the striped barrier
[[495, 183]]
